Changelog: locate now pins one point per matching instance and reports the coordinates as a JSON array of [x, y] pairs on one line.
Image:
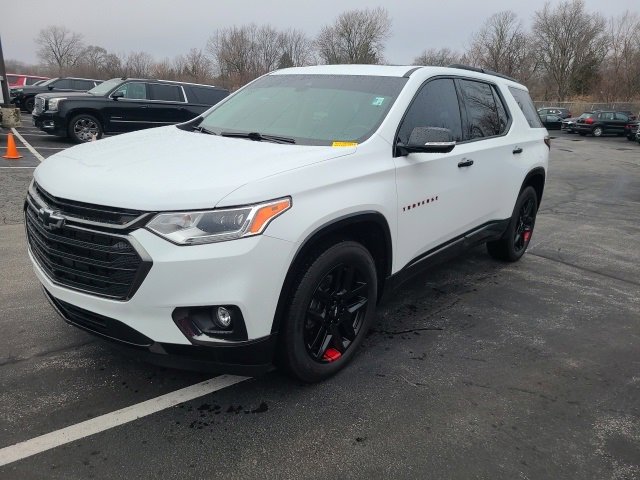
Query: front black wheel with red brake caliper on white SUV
[[332, 308]]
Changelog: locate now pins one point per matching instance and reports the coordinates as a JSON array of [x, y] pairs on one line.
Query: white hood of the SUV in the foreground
[[168, 168]]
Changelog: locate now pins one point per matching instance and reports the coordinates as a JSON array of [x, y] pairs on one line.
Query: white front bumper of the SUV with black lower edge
[[247, 273]]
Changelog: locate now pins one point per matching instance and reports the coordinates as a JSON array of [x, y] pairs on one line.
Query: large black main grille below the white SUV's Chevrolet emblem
[[95, 262]]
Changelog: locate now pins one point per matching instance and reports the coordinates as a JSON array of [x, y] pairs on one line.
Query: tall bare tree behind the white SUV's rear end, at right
[[571, 43]]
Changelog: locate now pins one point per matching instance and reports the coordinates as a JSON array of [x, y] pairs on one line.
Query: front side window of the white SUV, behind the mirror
[[436, 105]]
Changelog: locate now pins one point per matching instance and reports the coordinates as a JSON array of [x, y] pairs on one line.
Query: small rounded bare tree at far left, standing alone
[[59, 47]]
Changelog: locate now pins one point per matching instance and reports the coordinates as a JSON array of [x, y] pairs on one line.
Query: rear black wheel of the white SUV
[[516, 239]]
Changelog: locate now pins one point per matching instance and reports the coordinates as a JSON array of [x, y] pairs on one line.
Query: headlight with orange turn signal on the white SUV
[[193, 228]]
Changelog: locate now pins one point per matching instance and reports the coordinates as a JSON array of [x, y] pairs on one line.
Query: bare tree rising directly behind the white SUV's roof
[[357, 36]]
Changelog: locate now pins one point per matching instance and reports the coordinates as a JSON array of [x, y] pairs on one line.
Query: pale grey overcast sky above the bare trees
[[166, 28]]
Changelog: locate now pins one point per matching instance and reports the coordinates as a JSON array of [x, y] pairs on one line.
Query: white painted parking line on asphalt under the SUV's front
[[104, 422]]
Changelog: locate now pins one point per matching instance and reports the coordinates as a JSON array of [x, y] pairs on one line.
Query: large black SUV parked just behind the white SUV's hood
[[122, 105]]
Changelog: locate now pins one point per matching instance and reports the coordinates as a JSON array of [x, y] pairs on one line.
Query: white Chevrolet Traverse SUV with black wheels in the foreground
[[268, 228]]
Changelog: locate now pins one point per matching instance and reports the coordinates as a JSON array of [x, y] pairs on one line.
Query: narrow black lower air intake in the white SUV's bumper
[[99, 324]]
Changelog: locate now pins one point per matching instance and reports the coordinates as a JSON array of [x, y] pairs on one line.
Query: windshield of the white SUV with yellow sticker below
[[311, 109]]
